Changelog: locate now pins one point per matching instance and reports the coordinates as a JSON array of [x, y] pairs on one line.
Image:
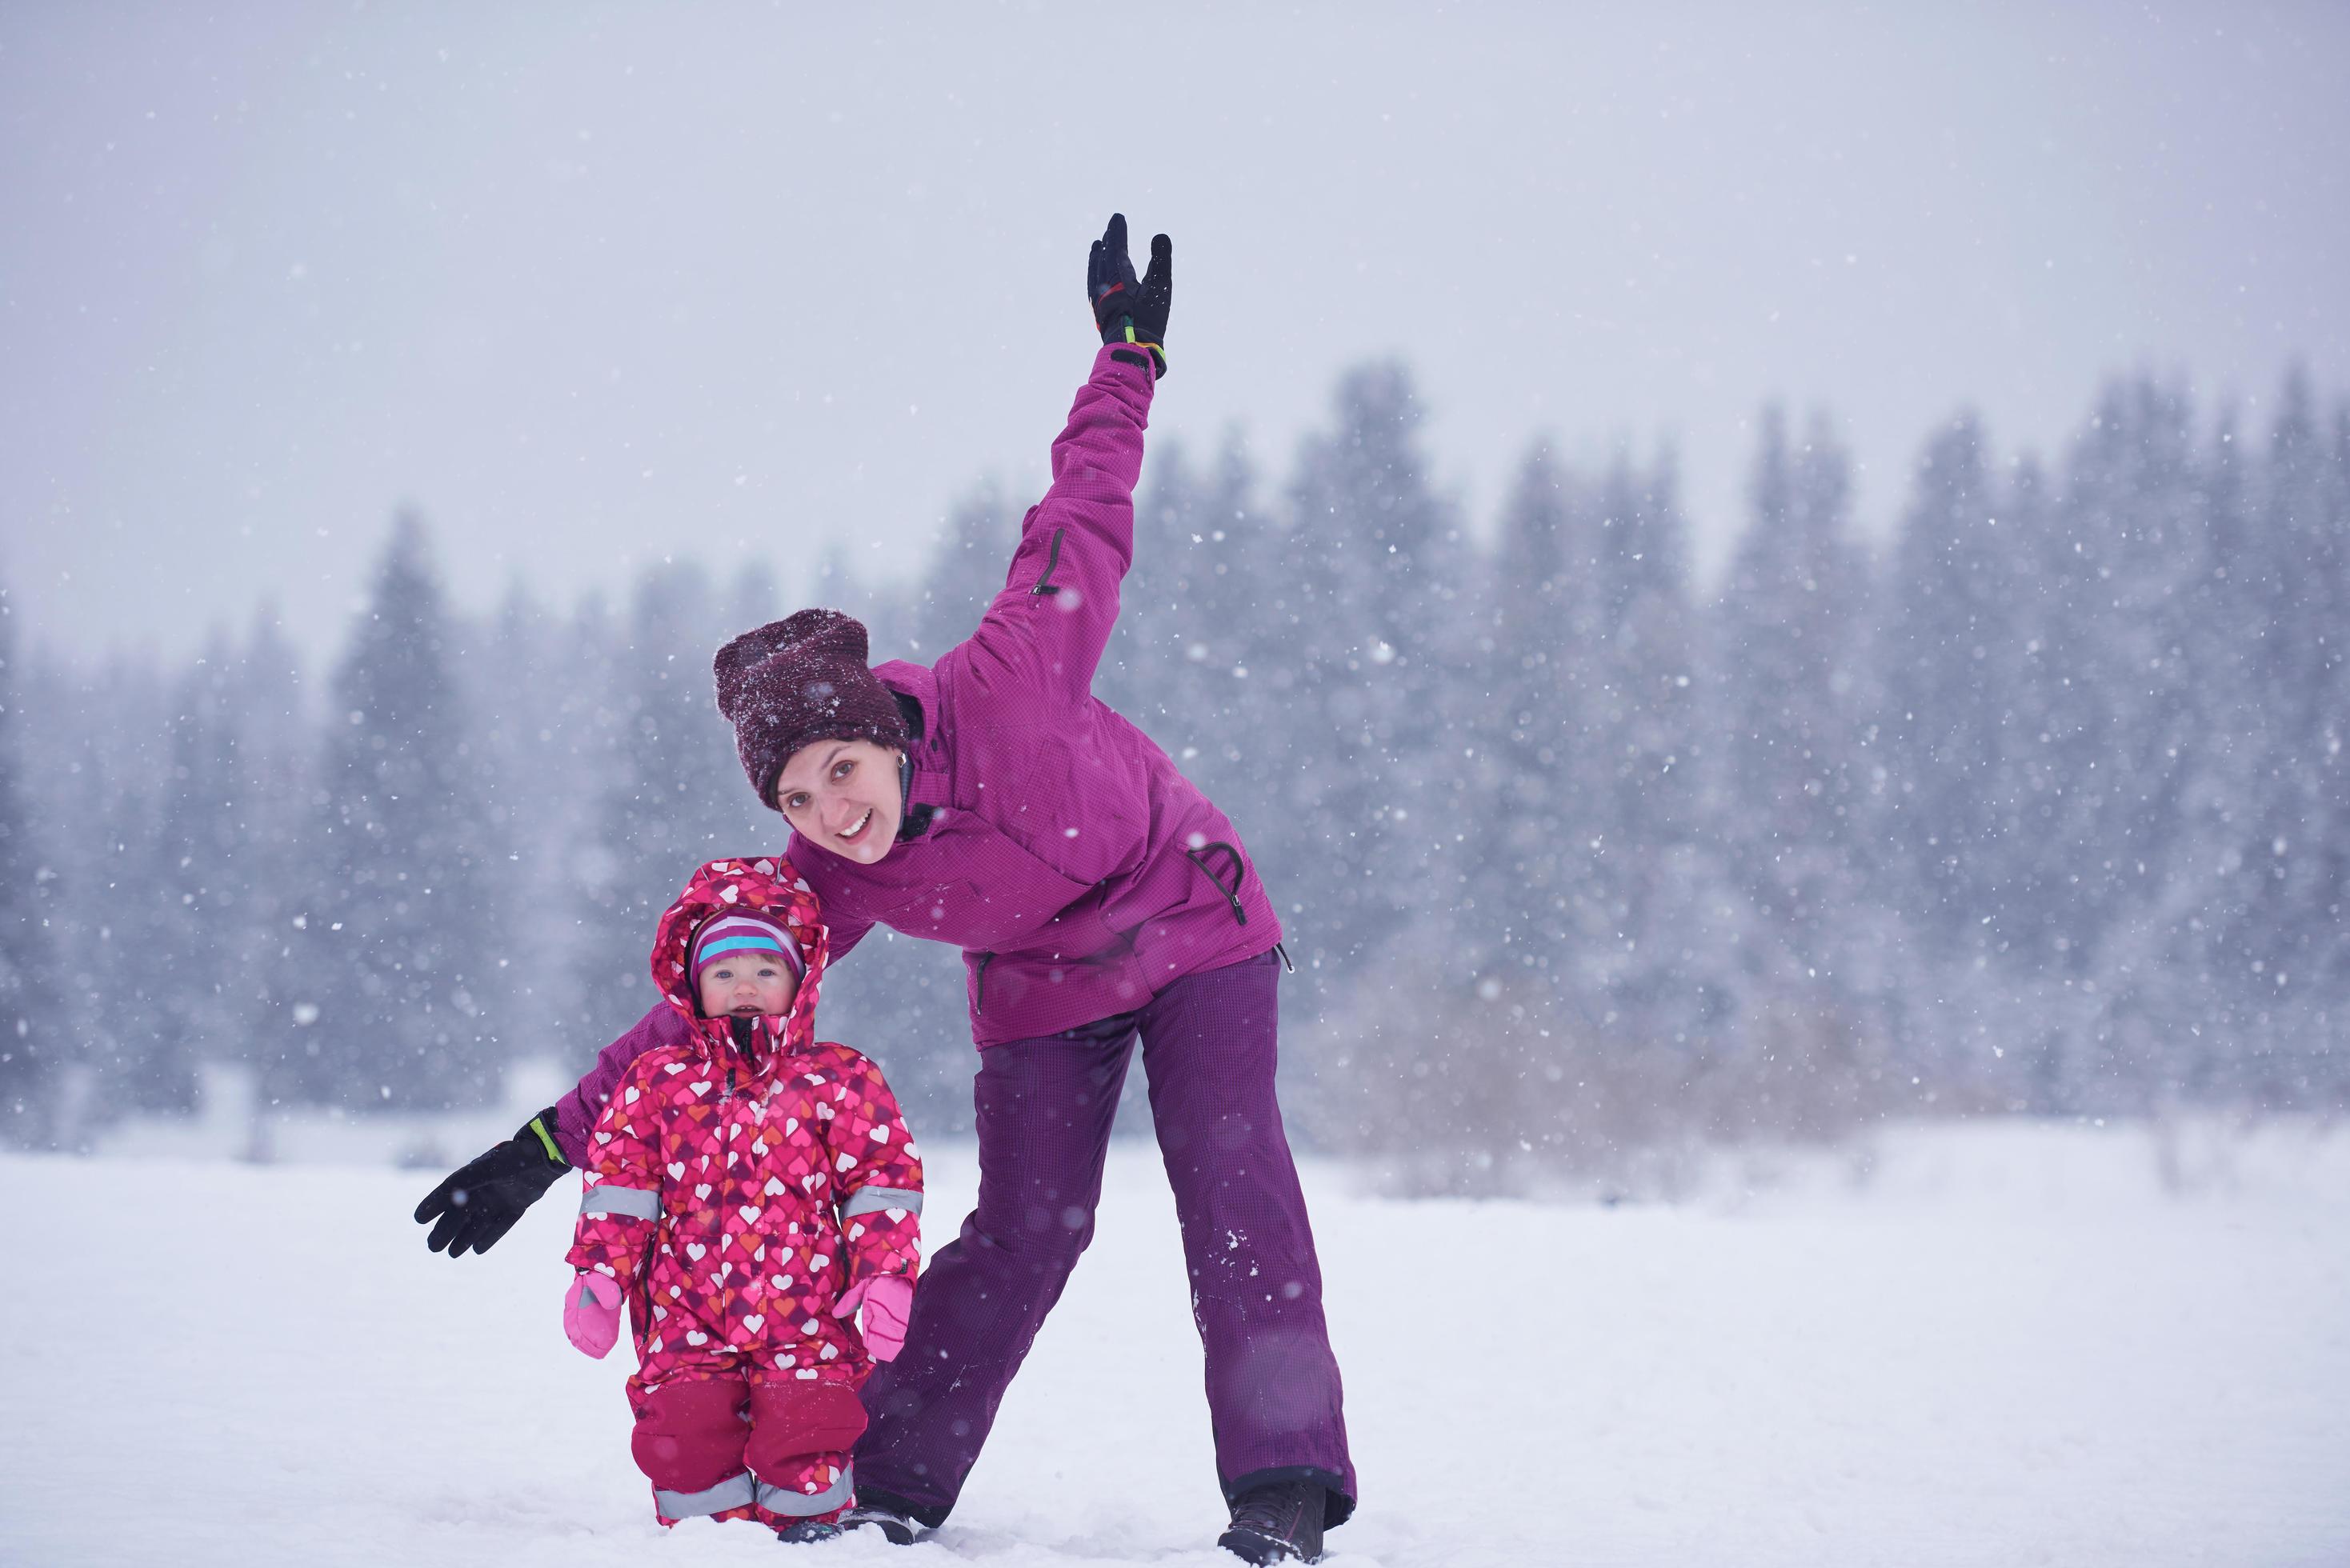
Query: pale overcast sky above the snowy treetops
[[593, 286]]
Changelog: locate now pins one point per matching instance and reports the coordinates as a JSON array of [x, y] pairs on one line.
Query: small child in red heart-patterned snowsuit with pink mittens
[[748, 1195]]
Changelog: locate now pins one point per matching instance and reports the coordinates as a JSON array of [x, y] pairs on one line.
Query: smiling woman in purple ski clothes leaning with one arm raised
[[1099, 897]]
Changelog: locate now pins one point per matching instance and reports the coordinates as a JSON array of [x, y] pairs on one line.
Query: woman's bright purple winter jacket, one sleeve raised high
[[1063, 855]]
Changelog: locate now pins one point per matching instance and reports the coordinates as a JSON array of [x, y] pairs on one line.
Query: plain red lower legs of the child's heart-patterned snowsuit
[[734, 1435]]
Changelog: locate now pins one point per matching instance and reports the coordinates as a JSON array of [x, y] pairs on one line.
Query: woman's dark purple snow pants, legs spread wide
[[1045, 1113]]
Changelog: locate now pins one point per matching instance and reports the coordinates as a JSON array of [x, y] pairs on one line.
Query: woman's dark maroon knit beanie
[[803, 681]]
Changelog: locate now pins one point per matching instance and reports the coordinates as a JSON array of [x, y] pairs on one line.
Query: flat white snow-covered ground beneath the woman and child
[[1987, 1346]]
